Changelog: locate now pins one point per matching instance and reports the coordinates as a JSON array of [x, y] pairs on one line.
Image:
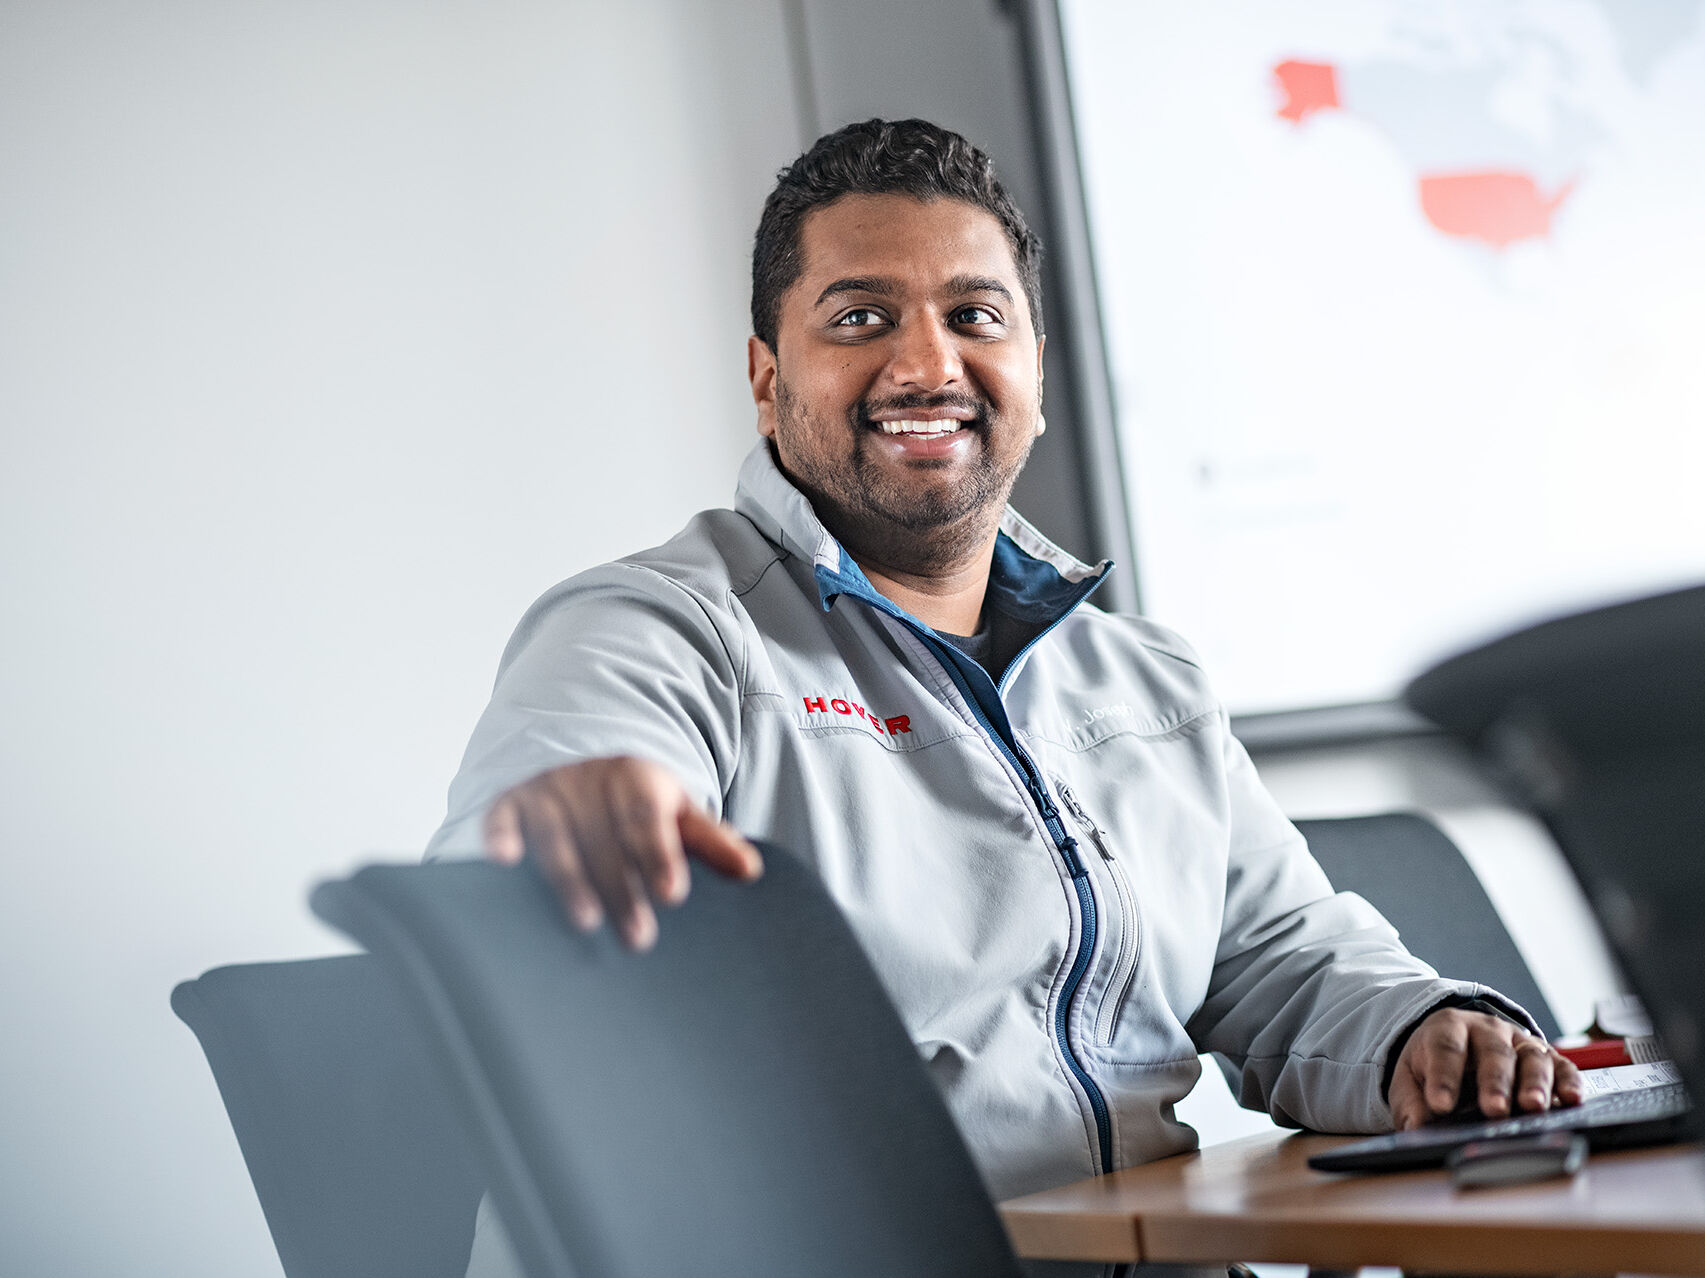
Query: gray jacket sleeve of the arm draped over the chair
[[615, 662]]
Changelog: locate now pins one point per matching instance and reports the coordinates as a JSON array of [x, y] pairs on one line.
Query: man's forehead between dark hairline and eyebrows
[[913, 245]]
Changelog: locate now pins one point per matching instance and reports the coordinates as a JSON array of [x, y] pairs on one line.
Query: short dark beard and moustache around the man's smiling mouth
[[901, 517]]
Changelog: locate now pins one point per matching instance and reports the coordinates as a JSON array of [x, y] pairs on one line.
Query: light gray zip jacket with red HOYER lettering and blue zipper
[[1072, 885]]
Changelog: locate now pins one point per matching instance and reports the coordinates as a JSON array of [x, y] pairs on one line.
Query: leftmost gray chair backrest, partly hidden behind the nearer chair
[[344, 1117]]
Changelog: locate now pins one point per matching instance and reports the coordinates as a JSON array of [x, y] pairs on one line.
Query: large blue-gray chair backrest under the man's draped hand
[[739, 1102]]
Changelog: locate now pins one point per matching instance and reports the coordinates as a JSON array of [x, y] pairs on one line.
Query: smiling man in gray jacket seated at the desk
[[1032, 812]]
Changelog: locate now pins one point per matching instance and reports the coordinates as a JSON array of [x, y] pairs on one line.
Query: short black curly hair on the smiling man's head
[[881, 158]]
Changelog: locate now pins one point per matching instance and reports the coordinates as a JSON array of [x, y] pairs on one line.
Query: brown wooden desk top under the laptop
[[1257, 1200]]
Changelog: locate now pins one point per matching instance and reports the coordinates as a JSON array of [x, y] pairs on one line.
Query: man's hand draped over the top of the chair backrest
[[615, 836]]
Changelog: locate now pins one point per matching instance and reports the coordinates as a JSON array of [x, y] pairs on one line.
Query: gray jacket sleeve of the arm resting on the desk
[[1310, 987]]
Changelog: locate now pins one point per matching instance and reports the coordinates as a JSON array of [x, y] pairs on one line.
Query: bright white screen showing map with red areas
[[1404, 306]]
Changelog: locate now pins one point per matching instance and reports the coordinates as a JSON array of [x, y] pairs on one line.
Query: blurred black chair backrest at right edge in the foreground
[[1597, 720]]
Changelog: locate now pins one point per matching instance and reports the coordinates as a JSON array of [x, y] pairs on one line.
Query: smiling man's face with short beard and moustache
[[905, 391]]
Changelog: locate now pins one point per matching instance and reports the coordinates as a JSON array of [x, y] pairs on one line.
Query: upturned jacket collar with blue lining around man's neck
[[1031, 579]]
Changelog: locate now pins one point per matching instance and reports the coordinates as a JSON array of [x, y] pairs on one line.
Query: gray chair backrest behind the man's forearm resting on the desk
[[1418, 878]]
